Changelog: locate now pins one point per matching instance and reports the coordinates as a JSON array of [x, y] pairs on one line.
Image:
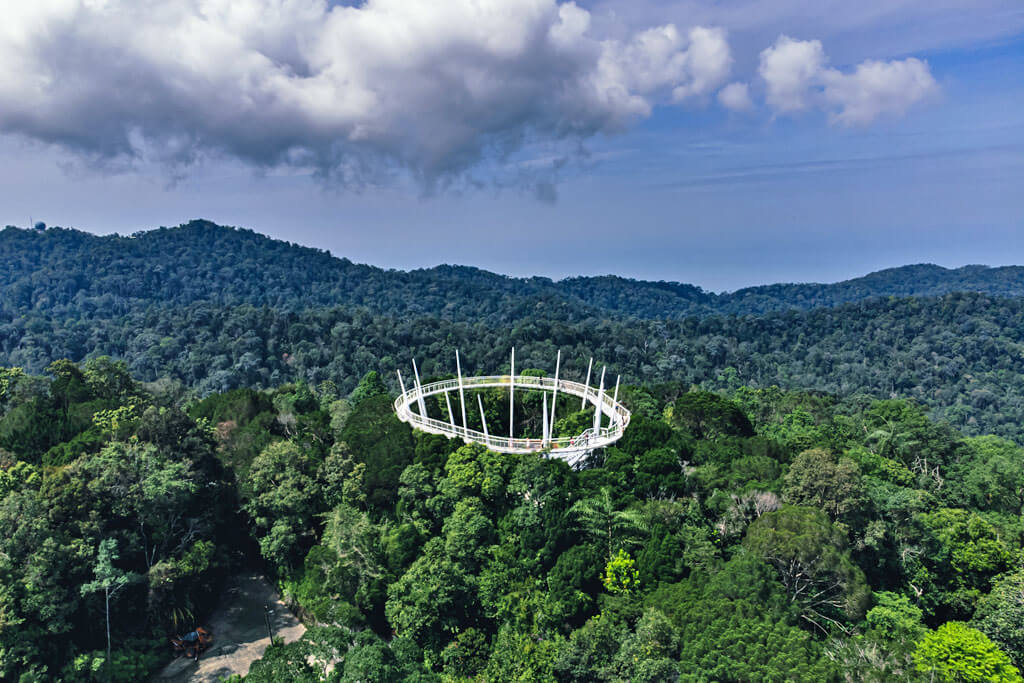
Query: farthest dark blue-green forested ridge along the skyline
[[61, 270]]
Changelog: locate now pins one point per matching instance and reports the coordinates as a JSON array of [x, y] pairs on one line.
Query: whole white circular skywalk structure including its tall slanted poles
[[471, 424]]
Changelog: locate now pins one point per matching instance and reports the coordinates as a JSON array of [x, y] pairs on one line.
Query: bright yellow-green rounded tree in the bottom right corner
[[958, 654]]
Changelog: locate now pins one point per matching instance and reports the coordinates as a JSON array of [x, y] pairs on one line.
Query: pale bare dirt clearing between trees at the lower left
[[239, 632]]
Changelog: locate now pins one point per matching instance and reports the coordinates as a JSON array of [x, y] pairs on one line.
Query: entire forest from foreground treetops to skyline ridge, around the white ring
[[821, 483]]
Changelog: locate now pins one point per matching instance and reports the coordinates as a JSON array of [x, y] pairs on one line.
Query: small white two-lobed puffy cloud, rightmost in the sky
[[796, 78]]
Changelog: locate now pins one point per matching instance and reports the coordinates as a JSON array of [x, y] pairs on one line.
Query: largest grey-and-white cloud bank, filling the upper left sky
[[355, 93]]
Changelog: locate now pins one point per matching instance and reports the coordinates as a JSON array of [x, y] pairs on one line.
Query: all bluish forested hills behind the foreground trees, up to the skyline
[[214, 309]]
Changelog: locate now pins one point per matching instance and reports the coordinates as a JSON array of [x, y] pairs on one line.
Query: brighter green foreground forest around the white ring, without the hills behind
[[754, 535]]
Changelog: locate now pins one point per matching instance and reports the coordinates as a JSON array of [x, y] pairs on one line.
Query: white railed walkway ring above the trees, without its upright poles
[[570, 448]]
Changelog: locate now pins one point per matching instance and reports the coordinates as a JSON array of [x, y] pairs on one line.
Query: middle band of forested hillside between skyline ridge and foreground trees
[[962, 356]]
